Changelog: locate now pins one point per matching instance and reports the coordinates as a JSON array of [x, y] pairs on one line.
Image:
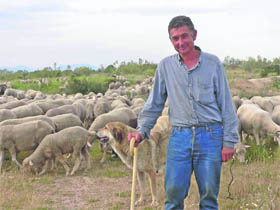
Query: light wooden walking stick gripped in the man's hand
[[133, 152]]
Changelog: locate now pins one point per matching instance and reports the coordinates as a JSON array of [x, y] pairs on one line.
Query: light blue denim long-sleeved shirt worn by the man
[[200, 95]]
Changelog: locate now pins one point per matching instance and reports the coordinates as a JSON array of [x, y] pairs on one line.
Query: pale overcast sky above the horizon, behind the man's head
[[39, 33]]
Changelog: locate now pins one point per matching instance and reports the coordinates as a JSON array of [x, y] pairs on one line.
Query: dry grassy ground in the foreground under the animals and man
[[256, 185]]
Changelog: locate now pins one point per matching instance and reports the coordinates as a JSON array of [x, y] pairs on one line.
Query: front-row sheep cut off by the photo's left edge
[[22, 137]]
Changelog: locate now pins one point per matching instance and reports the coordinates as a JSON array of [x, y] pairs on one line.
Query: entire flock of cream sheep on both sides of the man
[[53, 126]]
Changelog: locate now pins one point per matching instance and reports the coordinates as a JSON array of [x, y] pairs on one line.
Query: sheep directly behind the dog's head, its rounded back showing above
[[124, 115]]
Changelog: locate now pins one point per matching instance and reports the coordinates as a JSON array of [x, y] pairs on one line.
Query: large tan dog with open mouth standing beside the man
[[151, 153]]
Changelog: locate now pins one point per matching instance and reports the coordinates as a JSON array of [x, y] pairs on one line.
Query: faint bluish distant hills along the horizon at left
[[61, 67]]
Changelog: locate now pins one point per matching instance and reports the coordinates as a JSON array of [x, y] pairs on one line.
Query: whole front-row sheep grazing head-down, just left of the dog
[[68, 141]]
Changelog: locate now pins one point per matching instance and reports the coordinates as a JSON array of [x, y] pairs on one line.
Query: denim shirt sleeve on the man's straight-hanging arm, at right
[[229, 117]]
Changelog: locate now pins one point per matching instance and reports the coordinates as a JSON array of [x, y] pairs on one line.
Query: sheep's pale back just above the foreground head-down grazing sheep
[[65, 121]]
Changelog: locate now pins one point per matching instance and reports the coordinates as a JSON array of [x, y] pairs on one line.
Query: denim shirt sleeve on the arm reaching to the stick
[[154, 104]]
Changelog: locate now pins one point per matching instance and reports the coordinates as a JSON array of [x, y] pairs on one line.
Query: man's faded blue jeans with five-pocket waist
[[197, 149]]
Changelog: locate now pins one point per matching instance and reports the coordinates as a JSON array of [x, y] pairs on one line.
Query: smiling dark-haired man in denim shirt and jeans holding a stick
[[201, 112]]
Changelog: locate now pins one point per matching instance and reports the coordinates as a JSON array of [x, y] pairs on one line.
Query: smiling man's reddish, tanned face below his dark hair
[[182, 39]]
